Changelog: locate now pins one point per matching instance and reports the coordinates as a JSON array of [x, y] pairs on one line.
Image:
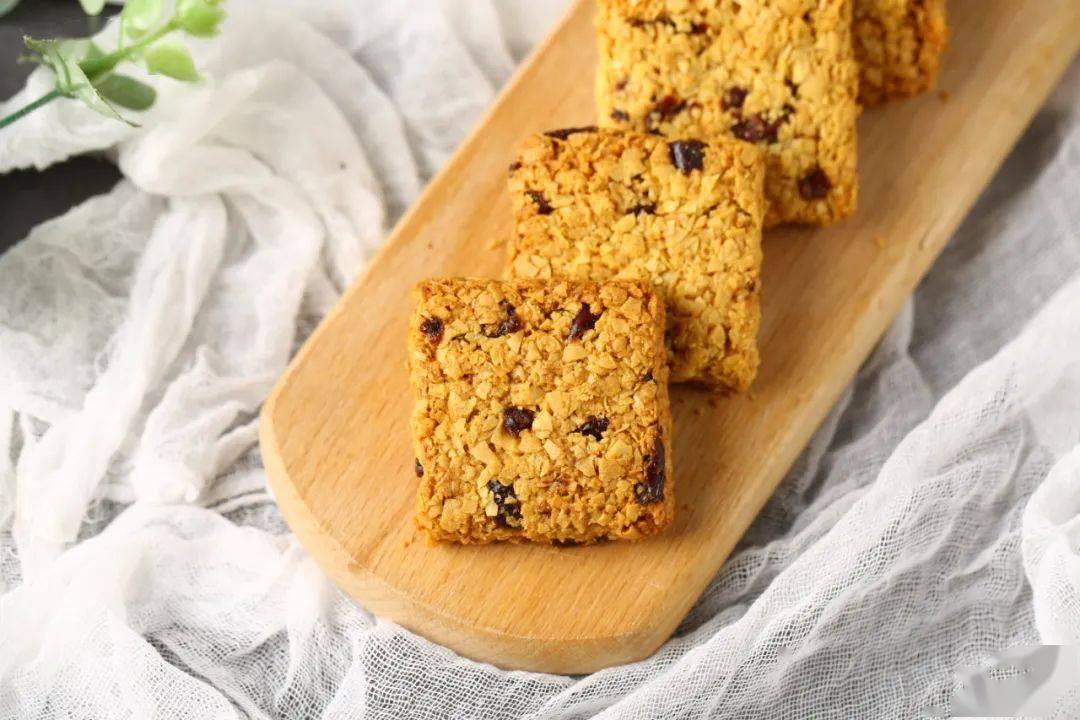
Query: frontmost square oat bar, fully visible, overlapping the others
[[542, 411]]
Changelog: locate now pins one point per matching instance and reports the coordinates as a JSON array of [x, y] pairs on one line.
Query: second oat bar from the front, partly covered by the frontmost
[[611, 205]]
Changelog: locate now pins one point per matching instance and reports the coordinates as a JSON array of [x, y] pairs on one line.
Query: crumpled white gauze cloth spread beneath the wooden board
[[146, 573]]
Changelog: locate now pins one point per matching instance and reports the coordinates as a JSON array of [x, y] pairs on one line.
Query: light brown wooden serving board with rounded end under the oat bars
[[335, 431]]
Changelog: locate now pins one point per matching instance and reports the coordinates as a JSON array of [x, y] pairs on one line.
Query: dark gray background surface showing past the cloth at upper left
[[29, 197]]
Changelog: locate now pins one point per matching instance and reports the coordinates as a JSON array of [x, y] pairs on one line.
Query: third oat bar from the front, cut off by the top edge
[[780, 74]]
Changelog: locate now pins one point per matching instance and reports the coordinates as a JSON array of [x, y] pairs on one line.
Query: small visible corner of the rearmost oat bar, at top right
[[898, 46]]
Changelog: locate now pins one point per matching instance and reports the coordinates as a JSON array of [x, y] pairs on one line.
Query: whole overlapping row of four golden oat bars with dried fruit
[[542, 400]]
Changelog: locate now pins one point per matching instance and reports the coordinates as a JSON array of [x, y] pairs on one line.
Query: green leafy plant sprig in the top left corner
[[86, 73]]
